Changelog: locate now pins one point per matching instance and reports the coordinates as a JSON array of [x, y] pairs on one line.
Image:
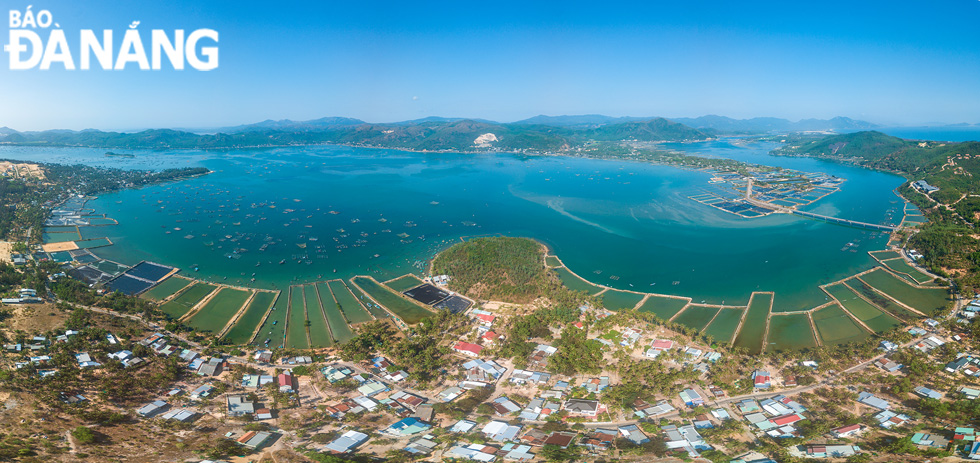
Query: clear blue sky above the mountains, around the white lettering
[[892, 63]]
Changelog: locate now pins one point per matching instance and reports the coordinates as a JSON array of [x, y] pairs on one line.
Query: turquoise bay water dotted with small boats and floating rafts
[[624, 219]]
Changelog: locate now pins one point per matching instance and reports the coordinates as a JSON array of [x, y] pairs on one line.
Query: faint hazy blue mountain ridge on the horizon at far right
[[724, 124]]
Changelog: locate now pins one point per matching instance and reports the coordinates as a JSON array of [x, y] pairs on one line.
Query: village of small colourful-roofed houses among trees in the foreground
[[485, 408]]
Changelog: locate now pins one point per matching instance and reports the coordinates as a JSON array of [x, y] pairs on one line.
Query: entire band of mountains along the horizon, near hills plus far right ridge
[[539, 133]]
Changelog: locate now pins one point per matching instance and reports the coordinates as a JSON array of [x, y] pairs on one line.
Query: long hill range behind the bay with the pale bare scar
[[436, 134]]
